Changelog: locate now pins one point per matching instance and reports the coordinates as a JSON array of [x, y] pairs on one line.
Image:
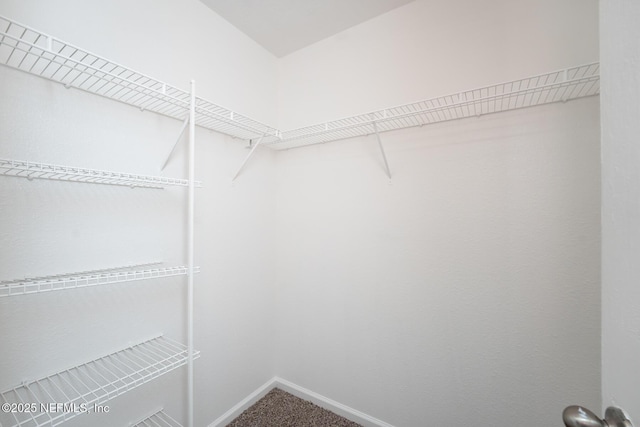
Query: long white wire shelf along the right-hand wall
[[557, 86]]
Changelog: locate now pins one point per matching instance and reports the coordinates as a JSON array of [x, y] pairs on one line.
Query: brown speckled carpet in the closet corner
[[281, 409]]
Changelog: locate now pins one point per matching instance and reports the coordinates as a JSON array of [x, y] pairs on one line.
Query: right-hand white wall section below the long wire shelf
[[466, 292]]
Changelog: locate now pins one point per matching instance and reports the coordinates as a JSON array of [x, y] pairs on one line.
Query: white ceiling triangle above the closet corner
[[284, 26]]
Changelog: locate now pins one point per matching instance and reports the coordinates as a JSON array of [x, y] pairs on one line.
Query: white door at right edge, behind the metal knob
[[620, 51]]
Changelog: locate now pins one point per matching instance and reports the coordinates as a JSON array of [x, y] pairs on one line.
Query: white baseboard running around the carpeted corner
[[303, 393]]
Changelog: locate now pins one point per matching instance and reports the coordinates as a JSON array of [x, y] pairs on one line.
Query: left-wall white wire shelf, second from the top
[[33, 170]]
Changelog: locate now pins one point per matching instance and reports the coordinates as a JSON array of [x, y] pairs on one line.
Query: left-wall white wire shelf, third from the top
[[89, 278]]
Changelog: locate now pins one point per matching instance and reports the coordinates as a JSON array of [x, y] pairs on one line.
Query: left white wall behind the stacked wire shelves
[[48, 227]]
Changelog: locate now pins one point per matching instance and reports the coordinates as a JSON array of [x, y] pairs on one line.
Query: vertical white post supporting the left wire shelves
[[190, 250]]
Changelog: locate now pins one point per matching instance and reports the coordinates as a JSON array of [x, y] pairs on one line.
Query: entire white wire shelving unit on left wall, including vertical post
[[36, 53]]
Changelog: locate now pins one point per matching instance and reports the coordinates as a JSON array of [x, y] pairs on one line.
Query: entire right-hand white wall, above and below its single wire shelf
[[458, 293]]
